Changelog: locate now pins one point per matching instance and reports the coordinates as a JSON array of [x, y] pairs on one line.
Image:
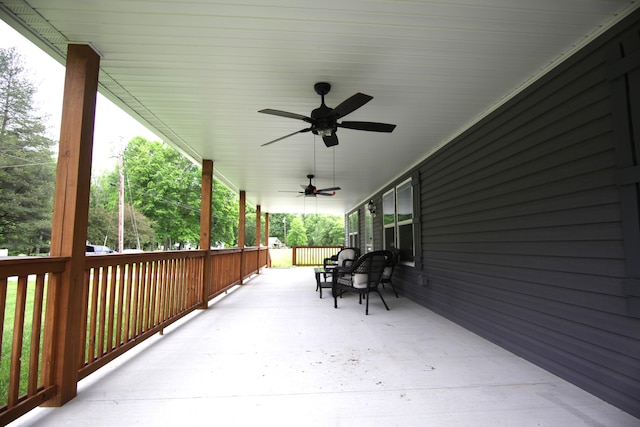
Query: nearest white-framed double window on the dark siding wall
[[397, 206]]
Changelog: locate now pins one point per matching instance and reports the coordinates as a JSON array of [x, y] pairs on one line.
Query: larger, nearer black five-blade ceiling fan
[[324, 120]]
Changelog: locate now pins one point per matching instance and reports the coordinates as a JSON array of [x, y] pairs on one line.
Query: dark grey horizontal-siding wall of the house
[[529, 222]]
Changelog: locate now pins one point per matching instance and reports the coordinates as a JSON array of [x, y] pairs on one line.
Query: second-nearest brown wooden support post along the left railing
[[205, 228]]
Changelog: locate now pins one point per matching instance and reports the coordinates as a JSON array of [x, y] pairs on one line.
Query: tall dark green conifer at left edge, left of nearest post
[[27, 167]]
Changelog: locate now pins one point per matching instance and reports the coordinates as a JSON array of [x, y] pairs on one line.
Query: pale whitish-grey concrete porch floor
[[272, 353]]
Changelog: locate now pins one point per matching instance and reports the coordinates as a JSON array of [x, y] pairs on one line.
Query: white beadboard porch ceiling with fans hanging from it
[[197, 72]]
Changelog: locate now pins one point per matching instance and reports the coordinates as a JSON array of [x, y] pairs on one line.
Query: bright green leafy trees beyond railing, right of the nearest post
[[162, 193]]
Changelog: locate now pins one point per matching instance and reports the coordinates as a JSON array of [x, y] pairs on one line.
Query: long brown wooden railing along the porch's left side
[[127, 299]]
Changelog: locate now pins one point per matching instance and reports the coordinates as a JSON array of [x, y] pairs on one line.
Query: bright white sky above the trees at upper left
[[112, 126]]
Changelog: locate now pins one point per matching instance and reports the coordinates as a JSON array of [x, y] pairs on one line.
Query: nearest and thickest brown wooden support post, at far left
[[70, 218]]
